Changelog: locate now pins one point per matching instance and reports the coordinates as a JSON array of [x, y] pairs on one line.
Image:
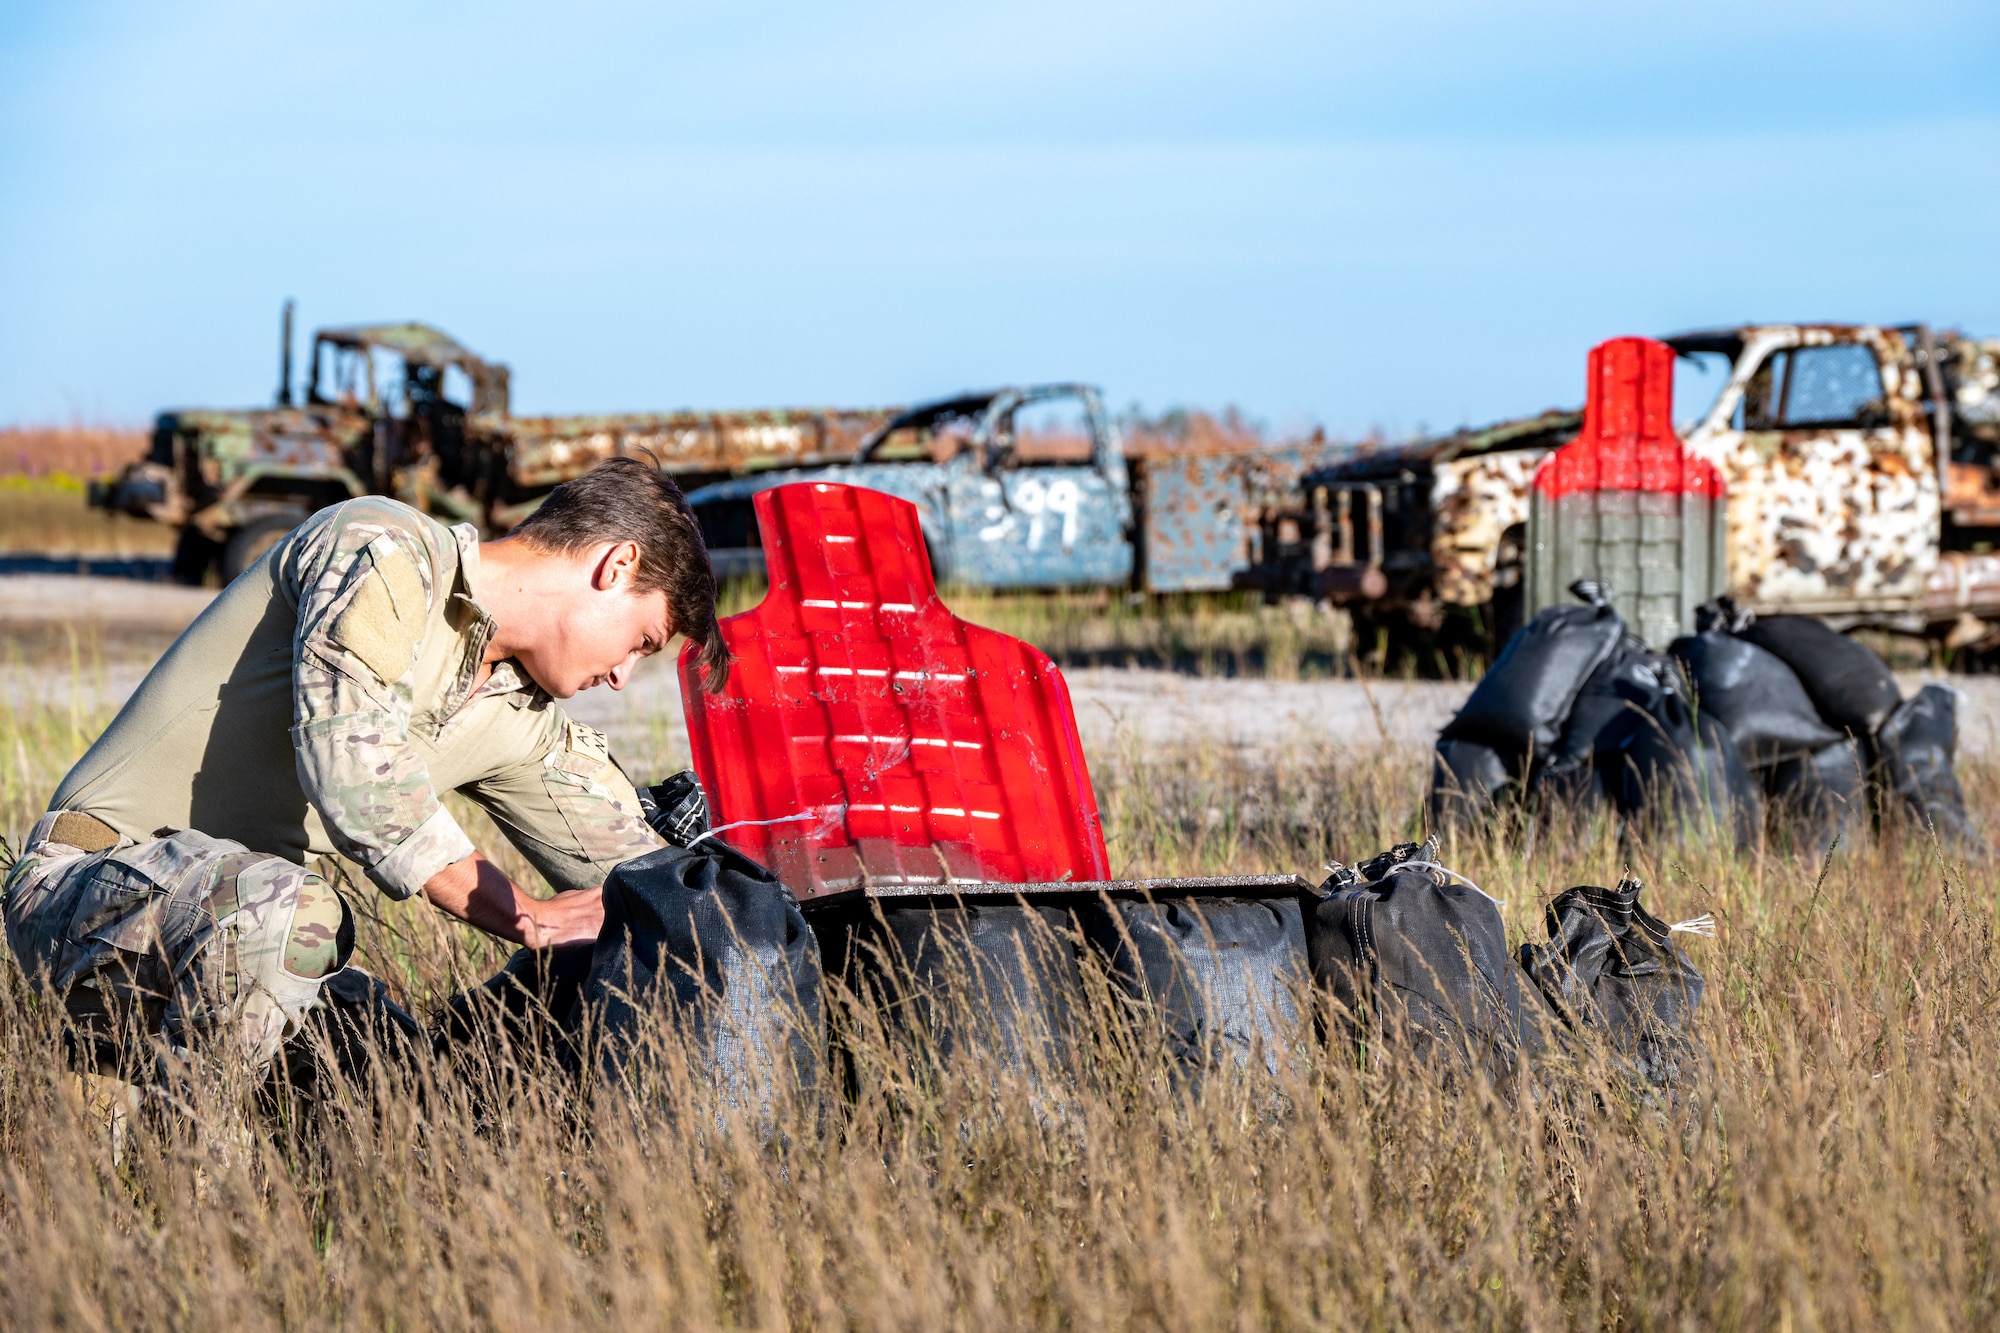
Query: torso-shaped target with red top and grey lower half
[[1625, 503]]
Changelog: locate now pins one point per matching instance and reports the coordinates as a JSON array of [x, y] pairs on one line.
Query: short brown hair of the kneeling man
[[631, 501]]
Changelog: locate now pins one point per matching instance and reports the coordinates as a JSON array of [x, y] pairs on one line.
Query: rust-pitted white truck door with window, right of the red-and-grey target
[[1833, 483]]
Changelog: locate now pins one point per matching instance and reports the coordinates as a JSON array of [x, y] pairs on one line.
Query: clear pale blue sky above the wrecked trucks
[[1367, 217]]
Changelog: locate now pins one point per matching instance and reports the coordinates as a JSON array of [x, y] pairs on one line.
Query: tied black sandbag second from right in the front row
[[1411, 950]]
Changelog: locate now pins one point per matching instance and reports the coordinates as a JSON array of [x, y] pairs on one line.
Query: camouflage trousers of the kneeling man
[[185, 936]]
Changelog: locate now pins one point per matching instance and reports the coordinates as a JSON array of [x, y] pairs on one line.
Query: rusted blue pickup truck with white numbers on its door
[[1035, 487]]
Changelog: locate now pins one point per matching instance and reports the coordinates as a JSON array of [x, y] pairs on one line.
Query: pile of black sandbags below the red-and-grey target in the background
[[1749, 718]]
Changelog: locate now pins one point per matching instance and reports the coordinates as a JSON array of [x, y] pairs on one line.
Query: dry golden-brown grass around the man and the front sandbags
[[1829, 1164]]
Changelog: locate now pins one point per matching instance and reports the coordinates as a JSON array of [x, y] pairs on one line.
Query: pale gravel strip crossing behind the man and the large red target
[[1135, 706]]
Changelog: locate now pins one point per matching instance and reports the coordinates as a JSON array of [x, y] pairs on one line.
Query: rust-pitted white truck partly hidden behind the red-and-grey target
[[1861, 467]]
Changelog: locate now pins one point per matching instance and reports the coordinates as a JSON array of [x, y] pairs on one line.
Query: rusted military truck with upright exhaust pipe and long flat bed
[[407, 411]]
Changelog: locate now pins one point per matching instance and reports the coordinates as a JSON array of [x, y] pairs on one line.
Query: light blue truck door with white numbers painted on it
[[1047, 503]]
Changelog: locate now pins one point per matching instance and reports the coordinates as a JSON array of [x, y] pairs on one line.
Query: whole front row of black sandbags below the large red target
[[741, 966]]
